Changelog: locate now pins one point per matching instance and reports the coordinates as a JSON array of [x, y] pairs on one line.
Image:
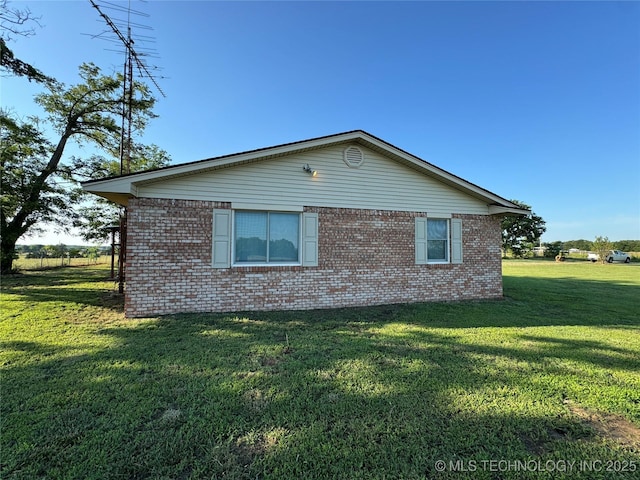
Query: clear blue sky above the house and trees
[[534, 101]]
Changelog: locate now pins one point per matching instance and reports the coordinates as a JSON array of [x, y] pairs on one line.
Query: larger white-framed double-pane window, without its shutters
[[266, 237]]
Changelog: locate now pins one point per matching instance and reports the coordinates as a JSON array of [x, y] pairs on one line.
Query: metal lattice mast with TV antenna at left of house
[[131, 57]]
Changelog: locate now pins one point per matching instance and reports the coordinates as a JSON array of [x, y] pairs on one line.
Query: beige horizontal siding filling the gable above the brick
[[380, 183]]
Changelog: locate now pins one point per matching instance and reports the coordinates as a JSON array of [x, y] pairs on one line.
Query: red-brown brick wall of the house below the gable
[[366, 257]]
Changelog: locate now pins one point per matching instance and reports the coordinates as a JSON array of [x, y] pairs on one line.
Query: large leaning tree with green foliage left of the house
[[86, 112]]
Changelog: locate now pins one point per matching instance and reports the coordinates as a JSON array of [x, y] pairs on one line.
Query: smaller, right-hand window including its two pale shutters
[[438, 240]]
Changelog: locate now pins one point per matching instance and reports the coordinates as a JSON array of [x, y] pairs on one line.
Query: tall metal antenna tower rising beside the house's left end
[[131, 57]]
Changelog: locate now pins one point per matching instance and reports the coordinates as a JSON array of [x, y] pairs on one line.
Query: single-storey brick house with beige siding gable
[[337, 221]]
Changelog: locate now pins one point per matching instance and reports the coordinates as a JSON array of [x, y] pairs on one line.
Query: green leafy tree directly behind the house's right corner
[[520, 233]]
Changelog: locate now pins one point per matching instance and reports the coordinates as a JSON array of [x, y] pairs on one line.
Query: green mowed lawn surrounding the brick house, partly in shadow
[[548, 376]]
